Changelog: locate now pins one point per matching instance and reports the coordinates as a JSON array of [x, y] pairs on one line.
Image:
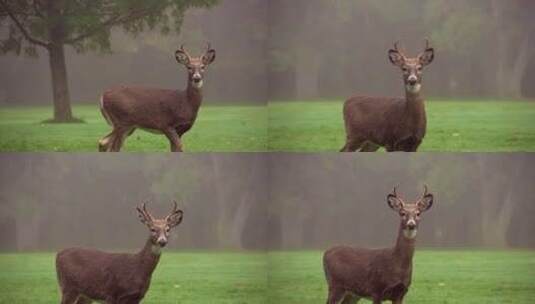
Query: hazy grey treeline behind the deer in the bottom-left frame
[[50, 201]]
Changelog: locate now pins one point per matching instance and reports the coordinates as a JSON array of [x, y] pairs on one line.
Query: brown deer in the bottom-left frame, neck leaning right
[[86, 275]]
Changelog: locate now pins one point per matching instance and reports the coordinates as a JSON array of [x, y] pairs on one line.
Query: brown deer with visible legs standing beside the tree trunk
[[161, 111]]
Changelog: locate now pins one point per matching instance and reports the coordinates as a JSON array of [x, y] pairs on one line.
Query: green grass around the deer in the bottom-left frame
[[226, 278]]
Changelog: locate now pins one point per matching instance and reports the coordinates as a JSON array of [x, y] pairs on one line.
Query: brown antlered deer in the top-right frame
[[398, 124]]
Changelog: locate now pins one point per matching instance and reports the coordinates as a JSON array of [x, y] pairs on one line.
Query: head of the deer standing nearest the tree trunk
[[195, 65]]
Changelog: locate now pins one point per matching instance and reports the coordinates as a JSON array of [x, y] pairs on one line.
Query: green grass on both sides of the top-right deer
[[461, 126]]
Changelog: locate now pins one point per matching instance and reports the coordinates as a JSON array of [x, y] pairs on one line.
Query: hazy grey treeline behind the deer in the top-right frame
[[326, 49]]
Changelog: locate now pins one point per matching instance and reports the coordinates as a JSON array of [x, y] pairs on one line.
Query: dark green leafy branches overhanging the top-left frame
[[87, 25]]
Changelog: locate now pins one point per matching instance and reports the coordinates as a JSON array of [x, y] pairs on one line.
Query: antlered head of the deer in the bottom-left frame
[[159, 228]]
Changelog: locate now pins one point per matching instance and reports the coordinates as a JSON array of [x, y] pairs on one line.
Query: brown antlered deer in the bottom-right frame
[[376, 274]]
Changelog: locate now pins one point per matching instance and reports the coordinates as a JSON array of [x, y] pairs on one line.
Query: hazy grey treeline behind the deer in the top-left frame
[[237, 29]]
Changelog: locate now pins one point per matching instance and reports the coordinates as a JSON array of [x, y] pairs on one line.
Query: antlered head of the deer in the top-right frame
[[411, 67]]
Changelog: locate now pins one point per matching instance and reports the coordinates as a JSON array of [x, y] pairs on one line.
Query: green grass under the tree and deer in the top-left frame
[[218, 128]]
